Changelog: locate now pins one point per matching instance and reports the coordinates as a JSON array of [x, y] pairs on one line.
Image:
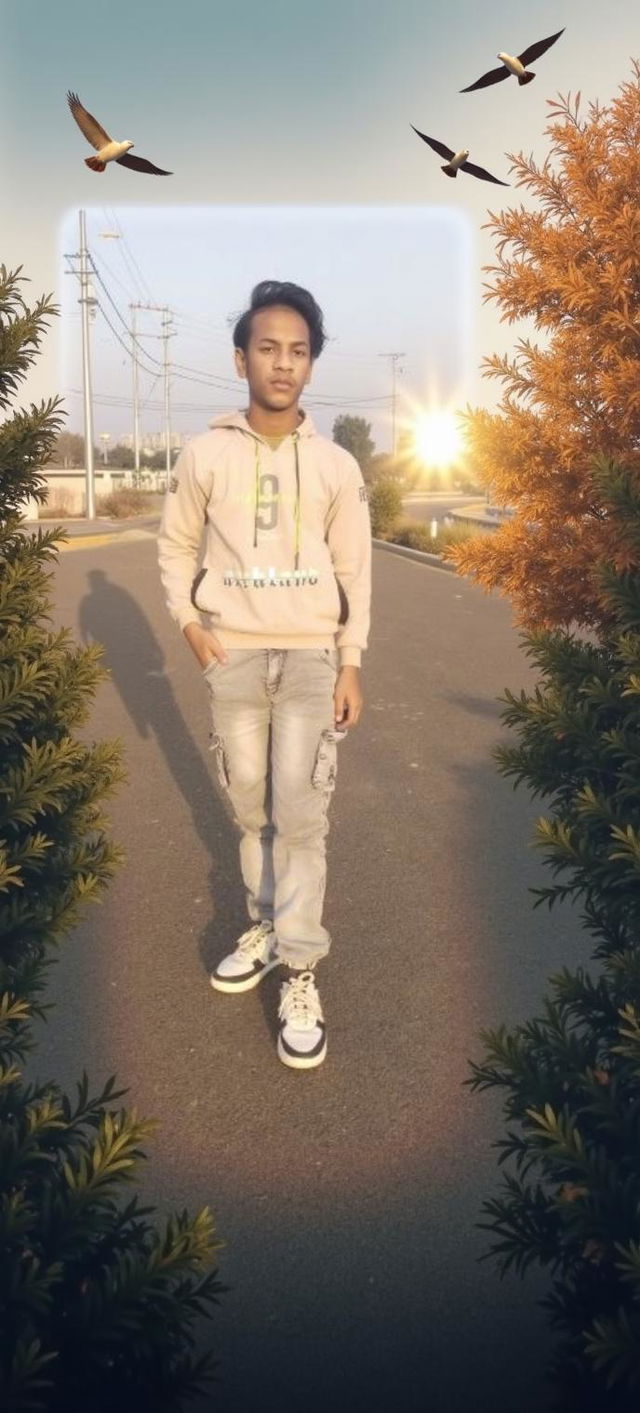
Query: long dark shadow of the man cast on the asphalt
[[111, 615]]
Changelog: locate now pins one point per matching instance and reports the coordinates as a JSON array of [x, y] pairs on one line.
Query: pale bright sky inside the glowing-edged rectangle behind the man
[[211, 258]]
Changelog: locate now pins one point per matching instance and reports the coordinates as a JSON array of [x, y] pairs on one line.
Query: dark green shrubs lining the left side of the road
[[97, 1306]]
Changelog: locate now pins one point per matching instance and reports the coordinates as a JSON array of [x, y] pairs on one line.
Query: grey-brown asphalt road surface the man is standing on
[[347, 1198]]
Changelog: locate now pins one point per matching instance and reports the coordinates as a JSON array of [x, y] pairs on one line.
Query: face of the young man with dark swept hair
[[278, 364]]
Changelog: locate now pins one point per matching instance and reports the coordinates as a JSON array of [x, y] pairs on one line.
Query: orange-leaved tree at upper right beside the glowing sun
[[573, 401]]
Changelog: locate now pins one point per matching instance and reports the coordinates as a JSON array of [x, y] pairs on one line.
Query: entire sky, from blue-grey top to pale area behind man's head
[[288, 129]]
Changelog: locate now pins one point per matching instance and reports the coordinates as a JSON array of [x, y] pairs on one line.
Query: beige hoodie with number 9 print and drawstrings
[[295, 521]]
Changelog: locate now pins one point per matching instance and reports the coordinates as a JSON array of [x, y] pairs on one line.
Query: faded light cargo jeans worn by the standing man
[[276, 745]]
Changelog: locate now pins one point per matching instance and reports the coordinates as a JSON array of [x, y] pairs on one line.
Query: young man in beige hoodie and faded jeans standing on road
[[278, 618]]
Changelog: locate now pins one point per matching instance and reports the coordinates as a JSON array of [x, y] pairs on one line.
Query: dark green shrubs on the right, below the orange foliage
[[571, 1077]]
